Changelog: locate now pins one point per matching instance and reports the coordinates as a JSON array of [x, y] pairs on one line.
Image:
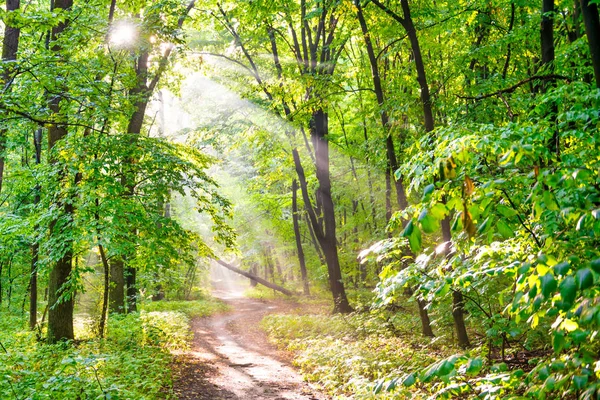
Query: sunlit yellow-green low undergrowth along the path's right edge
[[353, 355]]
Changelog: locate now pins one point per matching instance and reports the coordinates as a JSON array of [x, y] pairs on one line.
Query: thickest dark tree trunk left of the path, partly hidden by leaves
[[60, 313]]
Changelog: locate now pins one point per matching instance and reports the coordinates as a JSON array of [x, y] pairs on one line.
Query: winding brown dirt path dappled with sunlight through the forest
[[231, 358]]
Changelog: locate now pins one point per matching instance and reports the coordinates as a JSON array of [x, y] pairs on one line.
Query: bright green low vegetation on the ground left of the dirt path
[[132, 362]]
